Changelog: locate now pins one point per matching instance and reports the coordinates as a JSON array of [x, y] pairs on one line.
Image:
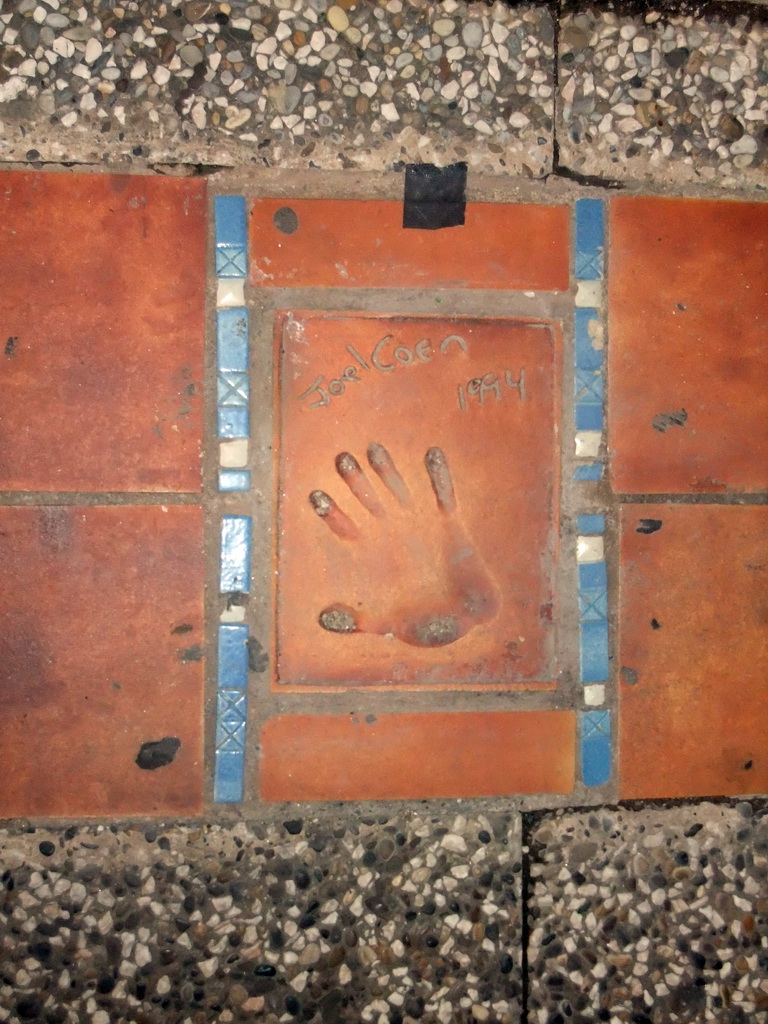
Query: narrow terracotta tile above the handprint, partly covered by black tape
[[363, 244]]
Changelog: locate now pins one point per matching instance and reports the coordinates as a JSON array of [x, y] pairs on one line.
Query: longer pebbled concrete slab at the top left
[[296, 83]]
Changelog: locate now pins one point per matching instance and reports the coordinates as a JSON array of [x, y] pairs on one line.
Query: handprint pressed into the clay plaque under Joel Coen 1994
[[468, 598]]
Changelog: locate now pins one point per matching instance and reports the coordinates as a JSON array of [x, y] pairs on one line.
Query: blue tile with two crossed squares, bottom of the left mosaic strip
[[232, 709]]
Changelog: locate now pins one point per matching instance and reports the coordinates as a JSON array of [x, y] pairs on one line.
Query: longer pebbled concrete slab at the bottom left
[[414, 916]]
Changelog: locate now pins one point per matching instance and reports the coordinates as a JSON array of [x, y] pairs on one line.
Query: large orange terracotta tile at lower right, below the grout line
[[694, 709]]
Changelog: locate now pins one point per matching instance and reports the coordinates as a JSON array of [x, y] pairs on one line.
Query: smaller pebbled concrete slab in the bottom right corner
[[652, 915]]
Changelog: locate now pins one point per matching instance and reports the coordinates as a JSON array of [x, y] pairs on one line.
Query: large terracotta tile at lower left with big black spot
[[101, 634]]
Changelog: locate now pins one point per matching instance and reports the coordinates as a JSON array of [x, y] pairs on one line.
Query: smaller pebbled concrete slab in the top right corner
[[664, 98]]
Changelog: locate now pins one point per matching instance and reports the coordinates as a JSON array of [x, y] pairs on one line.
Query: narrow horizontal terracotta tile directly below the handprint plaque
[[403, 757]]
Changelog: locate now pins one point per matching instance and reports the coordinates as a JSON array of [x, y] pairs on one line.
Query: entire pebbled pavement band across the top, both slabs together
[[672, 96]]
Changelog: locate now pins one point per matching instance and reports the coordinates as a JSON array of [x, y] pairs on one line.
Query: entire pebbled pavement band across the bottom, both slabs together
[[646, 915]]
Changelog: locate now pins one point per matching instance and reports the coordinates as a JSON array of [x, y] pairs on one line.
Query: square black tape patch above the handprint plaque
[[436, 197]]
